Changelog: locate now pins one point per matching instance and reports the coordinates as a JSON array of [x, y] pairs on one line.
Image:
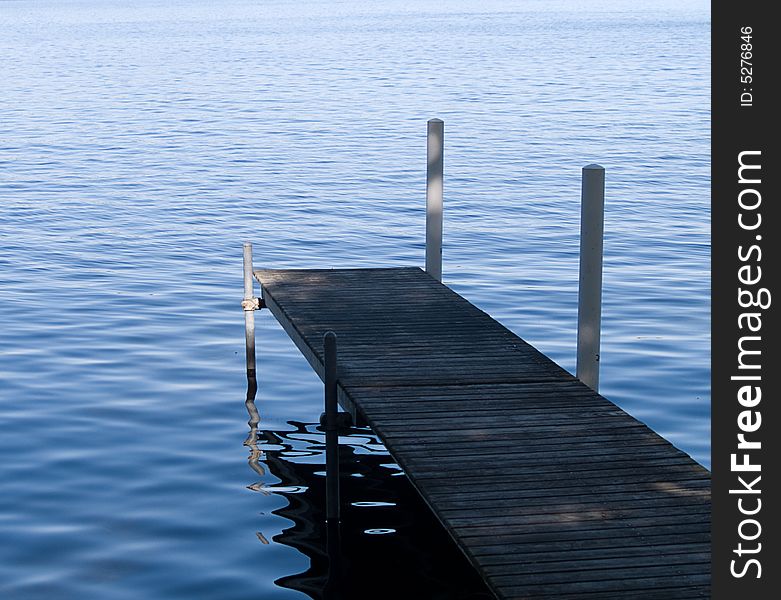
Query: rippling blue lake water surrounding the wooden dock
[[141, 143]]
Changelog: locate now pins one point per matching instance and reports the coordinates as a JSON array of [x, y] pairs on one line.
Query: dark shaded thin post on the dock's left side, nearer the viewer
[[331, 430]]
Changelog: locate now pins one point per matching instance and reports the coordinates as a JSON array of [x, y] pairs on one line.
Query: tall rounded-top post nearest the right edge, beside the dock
[[590, 287]]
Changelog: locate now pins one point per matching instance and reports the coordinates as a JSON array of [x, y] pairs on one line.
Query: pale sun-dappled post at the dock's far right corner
[[434, 197]]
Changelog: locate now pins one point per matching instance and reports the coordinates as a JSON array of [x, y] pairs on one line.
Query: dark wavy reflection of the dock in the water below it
[[388, 542]]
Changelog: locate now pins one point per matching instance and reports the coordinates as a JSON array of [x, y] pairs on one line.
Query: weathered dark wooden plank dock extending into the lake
[[550, 490]]
